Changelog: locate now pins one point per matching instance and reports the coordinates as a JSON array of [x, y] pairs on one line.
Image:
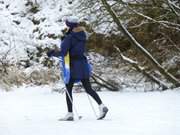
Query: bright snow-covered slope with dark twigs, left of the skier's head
[[30, 23]]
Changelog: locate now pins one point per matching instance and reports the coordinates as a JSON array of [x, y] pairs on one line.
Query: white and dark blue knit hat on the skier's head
[[72, 22]]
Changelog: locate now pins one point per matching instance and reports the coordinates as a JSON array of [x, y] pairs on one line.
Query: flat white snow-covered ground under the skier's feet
[[35, 110]]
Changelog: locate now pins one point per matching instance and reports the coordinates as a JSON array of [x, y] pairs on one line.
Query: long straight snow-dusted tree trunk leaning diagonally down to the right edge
[[138, 46]]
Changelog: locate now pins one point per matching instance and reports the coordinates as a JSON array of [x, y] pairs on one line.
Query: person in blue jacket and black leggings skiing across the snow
[[74, 43]]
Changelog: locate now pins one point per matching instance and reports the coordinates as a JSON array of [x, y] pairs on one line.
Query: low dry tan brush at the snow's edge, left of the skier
[[17, 77]]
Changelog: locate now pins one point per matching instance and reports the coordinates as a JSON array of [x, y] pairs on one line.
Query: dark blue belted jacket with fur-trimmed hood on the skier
[[75, 44]]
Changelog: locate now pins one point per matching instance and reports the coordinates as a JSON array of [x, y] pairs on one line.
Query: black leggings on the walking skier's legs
[[86, 84]]
